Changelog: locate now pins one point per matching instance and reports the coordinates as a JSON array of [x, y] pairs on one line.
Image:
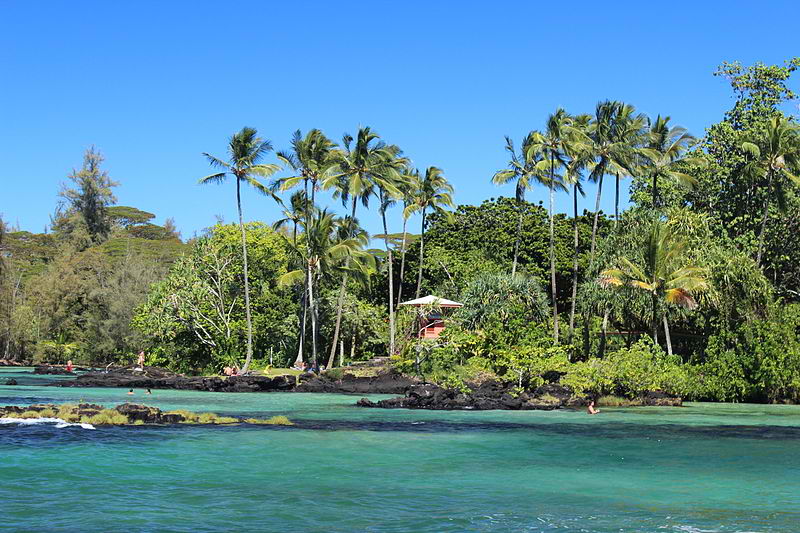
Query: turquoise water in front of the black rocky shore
[[705, 467]]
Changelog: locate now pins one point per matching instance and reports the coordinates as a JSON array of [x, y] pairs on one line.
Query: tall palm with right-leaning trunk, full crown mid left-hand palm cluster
[[370, 163]]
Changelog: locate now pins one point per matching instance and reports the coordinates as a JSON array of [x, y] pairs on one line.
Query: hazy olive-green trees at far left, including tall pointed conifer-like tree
[[71, 293]]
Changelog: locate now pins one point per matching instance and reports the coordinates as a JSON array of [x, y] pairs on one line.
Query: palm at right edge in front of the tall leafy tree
[[775, 156]]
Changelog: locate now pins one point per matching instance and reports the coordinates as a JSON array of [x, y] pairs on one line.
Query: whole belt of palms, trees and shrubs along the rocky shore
[[690, 290]]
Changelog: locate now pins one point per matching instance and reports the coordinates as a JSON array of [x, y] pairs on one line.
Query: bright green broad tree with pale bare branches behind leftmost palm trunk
[[195, 317]]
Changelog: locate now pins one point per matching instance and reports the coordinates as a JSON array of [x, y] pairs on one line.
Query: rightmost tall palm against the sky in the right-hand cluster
[[666, 151]]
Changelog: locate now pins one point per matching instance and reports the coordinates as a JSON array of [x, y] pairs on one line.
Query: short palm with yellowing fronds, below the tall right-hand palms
[[664, 271]]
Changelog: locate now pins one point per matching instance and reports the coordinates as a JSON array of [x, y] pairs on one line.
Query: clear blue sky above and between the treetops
[[154, 84]]
